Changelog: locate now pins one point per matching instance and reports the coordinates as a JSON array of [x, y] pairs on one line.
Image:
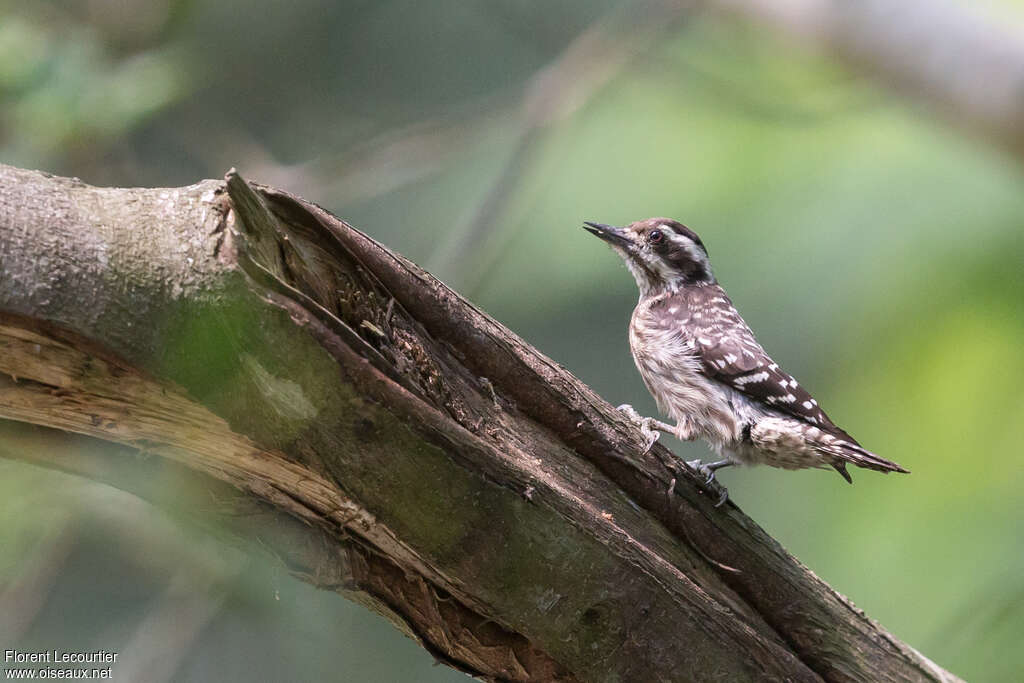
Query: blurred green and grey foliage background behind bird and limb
[[878, 253]]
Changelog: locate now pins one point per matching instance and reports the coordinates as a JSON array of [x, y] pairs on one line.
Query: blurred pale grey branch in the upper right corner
[[970, 69]]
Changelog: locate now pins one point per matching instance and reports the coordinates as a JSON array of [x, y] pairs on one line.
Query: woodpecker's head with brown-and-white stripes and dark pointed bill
[[663, 254]]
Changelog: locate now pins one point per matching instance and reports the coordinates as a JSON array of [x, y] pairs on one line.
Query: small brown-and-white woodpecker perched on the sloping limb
[[706, 370]]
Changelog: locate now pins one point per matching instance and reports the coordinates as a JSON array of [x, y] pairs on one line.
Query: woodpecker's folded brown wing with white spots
[[731, 355]]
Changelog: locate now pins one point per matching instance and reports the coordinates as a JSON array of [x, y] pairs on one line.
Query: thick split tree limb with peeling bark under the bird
[[324, 398]]
